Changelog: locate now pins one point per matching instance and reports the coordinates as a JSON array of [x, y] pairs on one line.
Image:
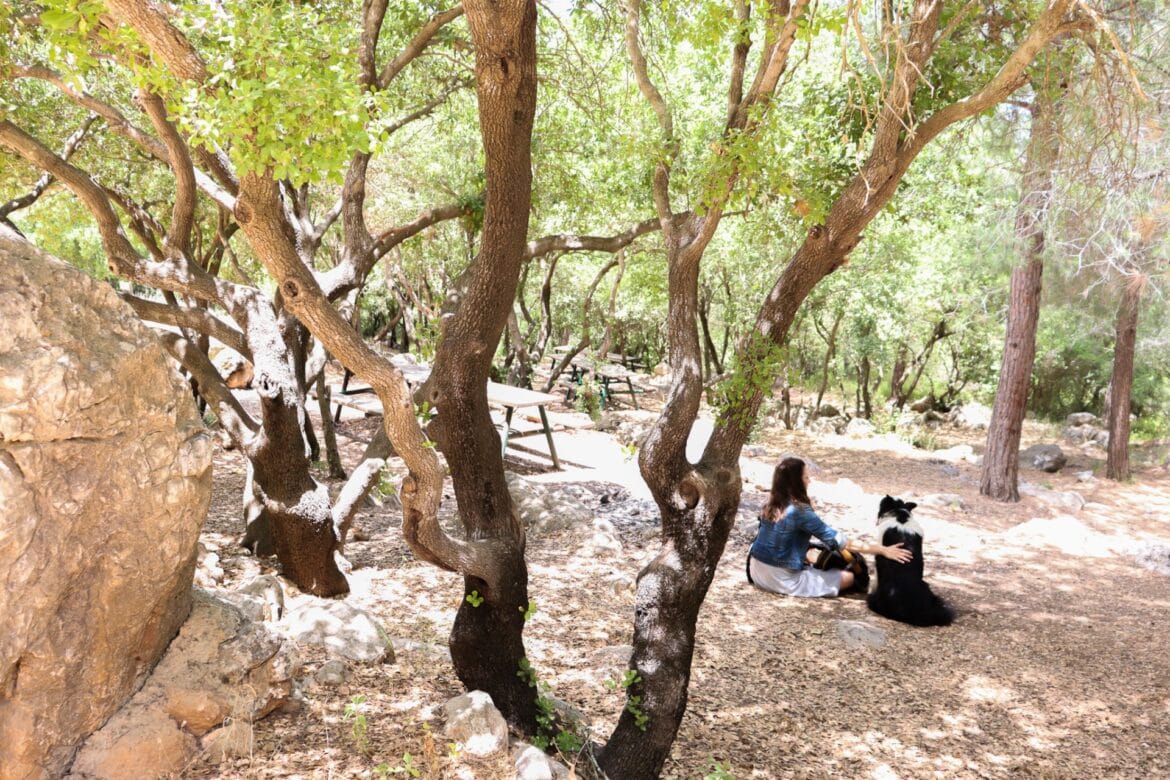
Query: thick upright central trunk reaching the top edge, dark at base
[[486, 643]]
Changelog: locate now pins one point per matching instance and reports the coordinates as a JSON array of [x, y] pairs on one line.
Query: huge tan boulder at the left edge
[[105, 484]]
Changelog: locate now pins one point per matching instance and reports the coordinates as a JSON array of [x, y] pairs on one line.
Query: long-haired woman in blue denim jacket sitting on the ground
[[780, 560]]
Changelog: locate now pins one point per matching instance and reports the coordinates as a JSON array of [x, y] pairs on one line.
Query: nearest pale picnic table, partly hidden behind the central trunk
[[506, 397]]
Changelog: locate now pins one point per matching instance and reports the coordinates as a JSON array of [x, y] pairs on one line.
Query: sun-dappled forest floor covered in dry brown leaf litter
[[1057, 665]]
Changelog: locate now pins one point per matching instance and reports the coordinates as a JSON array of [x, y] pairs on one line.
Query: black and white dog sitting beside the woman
[[901, 595]]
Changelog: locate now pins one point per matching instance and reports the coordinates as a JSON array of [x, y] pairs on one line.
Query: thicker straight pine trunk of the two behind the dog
[[1001, 460]]
